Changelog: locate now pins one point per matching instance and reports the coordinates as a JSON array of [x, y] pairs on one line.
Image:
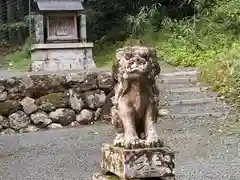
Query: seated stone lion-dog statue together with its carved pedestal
[[136, 152]]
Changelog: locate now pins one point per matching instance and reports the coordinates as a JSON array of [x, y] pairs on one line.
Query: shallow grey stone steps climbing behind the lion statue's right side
[[186, 98]]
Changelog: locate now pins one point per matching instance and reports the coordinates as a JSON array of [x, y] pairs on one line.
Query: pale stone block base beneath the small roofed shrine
[[62, 56]]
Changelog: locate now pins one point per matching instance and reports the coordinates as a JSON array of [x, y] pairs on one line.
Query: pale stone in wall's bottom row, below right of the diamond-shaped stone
[[40, 119]]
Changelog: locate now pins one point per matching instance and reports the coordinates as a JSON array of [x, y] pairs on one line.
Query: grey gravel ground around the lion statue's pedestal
[[74, 154]]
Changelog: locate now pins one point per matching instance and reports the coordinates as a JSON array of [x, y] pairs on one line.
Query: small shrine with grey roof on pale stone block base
[[61, 42]]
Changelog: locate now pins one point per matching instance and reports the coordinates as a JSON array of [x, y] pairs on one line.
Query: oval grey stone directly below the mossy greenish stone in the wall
[[63, 116]]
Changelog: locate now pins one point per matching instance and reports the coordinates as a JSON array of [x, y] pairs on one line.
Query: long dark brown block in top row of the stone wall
[[40, 85]]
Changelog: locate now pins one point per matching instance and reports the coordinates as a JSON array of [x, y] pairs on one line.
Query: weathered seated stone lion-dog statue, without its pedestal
[[135, 104]]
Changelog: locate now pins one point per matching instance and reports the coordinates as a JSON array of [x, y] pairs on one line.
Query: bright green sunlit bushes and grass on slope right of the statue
[[210, 41]]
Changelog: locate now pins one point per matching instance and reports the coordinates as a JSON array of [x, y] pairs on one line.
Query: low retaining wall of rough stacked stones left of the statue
[[33, 101]]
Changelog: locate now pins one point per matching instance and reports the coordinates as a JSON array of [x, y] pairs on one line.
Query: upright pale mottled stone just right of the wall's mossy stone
[[76, 101]]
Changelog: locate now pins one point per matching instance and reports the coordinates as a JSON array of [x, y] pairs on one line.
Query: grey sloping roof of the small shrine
[[59, 5]]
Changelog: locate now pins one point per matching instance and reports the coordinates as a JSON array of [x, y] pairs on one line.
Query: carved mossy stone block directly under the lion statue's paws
[[137, 163]]
